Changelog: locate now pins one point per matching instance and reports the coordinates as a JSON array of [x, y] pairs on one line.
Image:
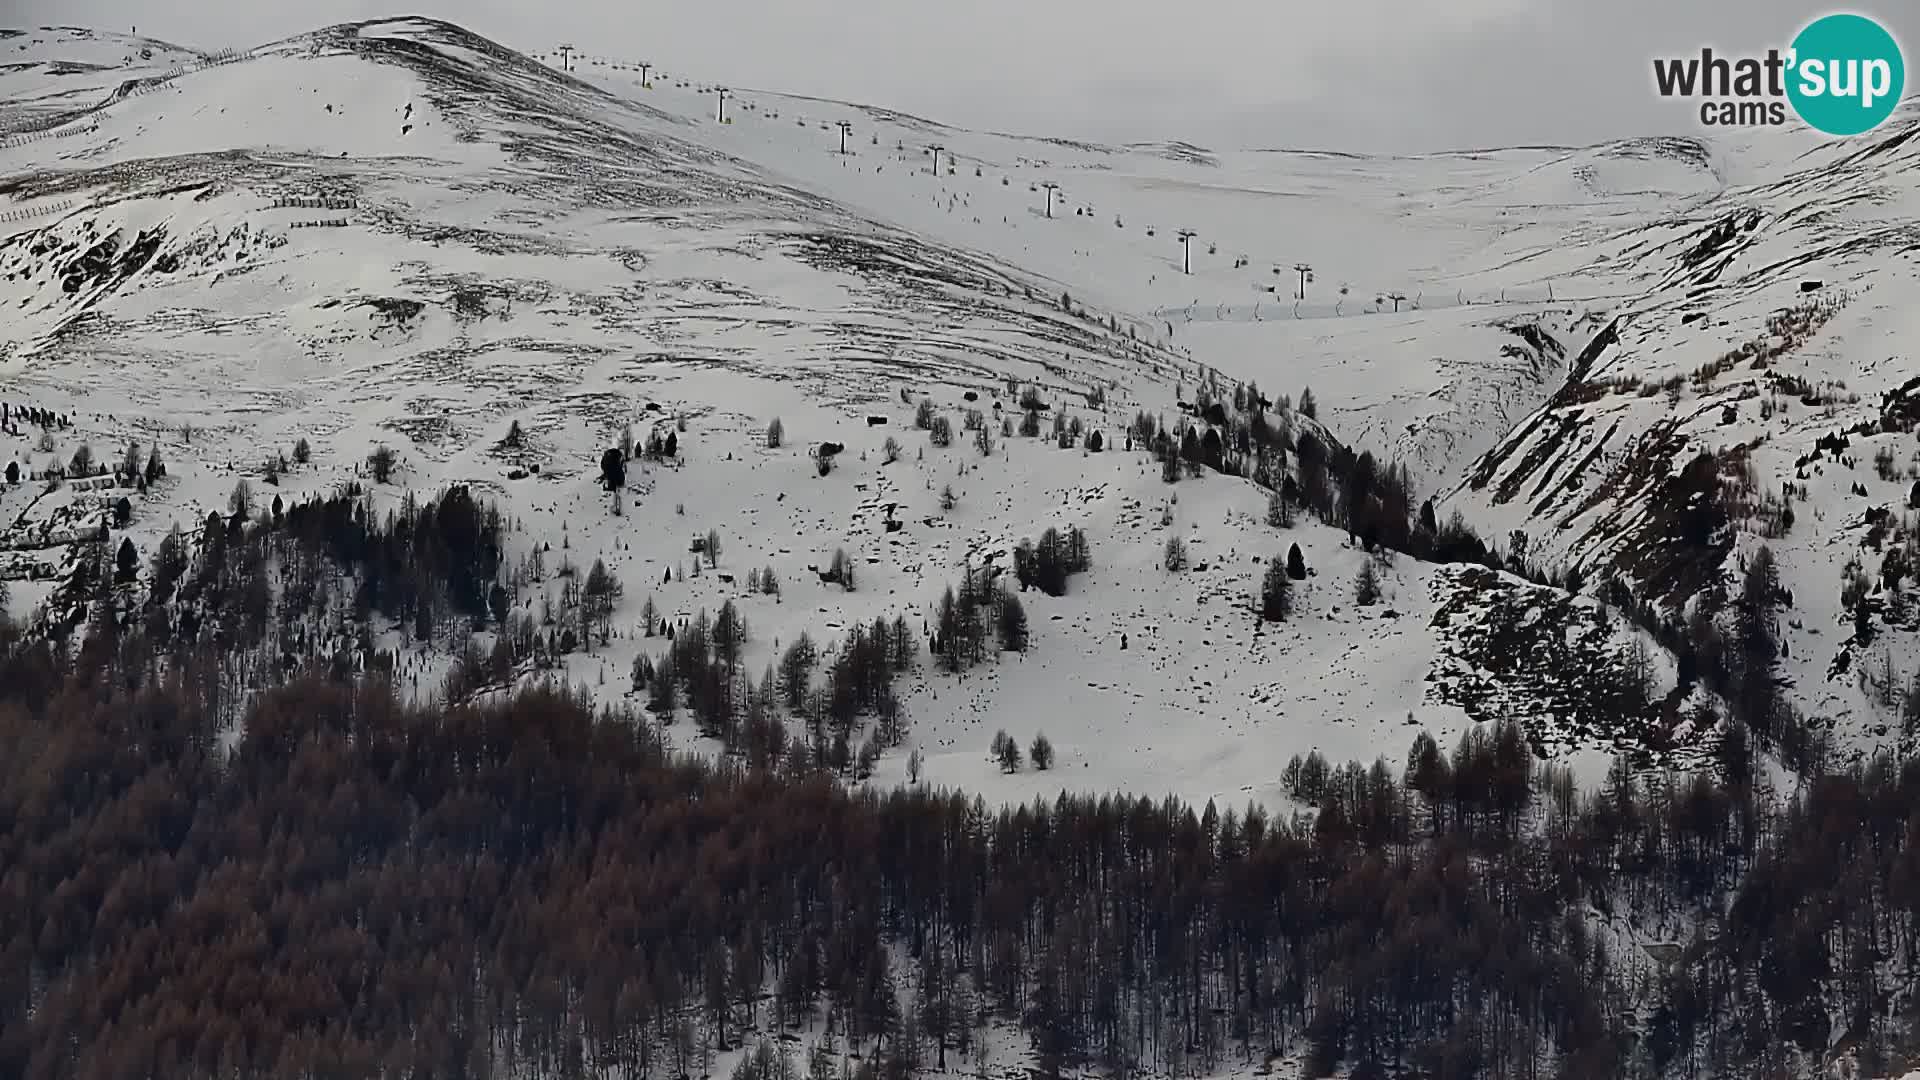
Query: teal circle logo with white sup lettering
[[1846, 74]]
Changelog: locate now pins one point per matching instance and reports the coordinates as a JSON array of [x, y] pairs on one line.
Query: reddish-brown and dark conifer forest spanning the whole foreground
[[318, 879]]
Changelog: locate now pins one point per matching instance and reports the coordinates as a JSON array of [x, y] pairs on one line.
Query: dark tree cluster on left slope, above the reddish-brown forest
[[245, 601]]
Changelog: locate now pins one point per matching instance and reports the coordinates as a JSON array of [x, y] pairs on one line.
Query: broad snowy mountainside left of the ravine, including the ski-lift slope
[[398, 233]]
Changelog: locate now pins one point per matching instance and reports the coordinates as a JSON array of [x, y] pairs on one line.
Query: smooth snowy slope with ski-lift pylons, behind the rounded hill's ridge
[[1472, 243]]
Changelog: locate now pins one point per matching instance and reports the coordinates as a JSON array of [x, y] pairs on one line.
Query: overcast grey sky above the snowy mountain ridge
[[1380, 76]]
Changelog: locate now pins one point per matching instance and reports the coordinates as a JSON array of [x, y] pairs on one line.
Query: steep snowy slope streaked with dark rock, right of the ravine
[[1773, 328]]
